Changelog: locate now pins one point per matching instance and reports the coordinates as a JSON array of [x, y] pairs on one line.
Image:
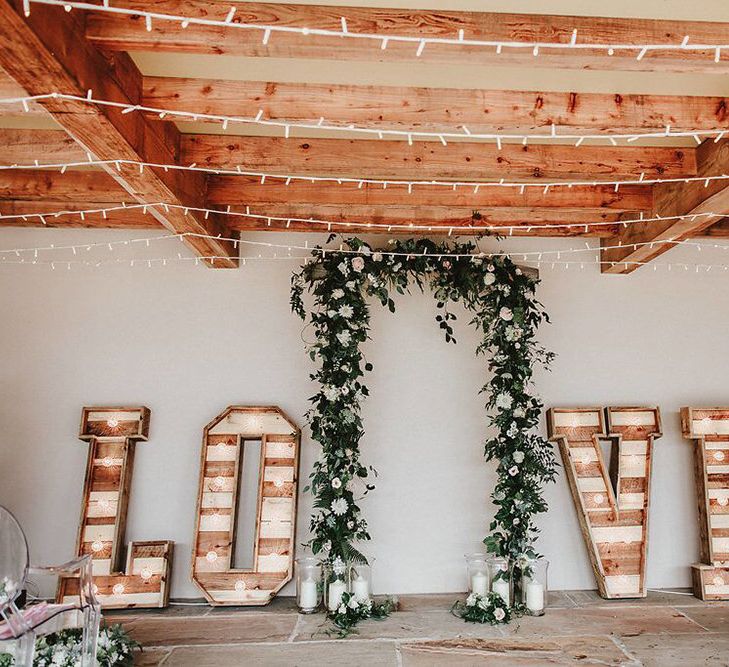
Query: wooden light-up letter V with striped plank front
[[612, 503]]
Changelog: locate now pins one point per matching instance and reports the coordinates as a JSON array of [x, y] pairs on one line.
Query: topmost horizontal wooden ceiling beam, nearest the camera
[[128, 33]]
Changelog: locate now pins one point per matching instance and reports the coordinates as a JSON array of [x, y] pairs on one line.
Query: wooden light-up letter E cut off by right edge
[[708, 428]]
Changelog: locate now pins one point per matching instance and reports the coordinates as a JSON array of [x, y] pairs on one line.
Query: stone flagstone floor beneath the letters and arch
[[663, 630]]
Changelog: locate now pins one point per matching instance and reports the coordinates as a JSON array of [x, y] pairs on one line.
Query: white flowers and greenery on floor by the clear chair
[[63, 649]]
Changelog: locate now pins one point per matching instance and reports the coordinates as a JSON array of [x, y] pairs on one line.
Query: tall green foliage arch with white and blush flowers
[[500, 298]]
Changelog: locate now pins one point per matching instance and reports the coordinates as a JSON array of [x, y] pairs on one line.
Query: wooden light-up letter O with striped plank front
[[220, 483]]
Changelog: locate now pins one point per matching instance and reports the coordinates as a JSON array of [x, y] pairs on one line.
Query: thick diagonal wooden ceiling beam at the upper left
[[48, 52]]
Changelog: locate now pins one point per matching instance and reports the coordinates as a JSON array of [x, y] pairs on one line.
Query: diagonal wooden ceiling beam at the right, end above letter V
[[643, 242]]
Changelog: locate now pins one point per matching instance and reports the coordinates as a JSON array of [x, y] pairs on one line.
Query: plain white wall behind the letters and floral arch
[[187, 342]]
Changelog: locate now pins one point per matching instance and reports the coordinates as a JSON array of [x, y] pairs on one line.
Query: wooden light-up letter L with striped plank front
[[112, 434]]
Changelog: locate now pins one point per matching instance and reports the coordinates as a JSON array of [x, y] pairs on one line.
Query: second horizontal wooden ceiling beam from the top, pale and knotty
[[437, 109]]
